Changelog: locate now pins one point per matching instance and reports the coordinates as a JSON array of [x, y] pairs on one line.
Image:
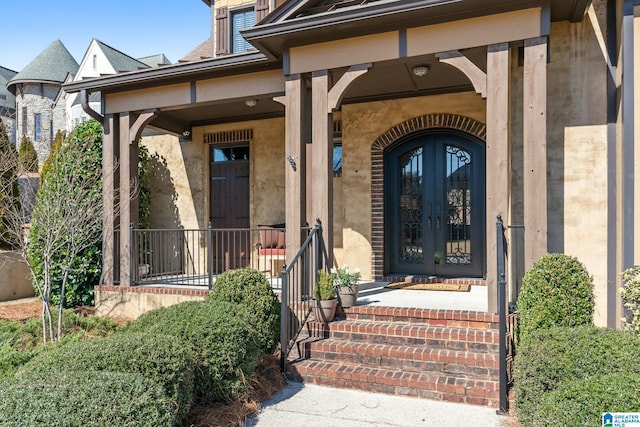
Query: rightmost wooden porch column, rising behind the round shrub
[[535, 149]]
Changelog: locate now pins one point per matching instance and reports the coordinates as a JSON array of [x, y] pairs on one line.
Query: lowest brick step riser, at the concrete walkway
[[444, 389]]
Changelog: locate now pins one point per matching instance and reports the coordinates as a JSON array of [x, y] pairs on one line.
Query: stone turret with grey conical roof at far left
[[40, 100]]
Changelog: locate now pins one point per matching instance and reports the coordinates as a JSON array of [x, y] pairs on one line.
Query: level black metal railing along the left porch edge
[[194, 257]]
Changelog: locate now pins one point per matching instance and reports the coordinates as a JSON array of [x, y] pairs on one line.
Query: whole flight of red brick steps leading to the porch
[[435, 354]]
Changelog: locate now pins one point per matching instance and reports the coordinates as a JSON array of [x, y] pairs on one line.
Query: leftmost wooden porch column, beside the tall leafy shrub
[[108, 199]]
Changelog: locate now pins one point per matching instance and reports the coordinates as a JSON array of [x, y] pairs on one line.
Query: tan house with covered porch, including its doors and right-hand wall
[[445, 114]]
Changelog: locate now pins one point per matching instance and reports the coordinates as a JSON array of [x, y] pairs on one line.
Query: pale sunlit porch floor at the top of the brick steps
[[375, 294]]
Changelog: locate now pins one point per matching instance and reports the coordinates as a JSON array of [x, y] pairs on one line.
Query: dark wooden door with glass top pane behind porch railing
[[229, 208]]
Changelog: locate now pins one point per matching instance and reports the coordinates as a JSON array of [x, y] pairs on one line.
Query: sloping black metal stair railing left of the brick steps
[[298, 280]]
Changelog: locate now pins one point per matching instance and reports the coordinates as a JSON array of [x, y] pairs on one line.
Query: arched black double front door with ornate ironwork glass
[[434, 205]]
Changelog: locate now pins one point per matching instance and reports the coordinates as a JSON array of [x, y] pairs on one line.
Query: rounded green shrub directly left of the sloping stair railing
[[251, 288]]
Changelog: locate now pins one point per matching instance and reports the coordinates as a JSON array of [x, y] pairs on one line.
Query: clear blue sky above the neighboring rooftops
[[136, 27]]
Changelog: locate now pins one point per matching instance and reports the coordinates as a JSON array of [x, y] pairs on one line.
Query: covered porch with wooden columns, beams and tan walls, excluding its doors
[[431, 67]]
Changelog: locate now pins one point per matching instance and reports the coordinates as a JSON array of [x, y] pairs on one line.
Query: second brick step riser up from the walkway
[[409, 365]]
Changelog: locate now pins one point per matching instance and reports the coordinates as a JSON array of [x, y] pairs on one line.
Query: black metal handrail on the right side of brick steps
[[507, 310]]
